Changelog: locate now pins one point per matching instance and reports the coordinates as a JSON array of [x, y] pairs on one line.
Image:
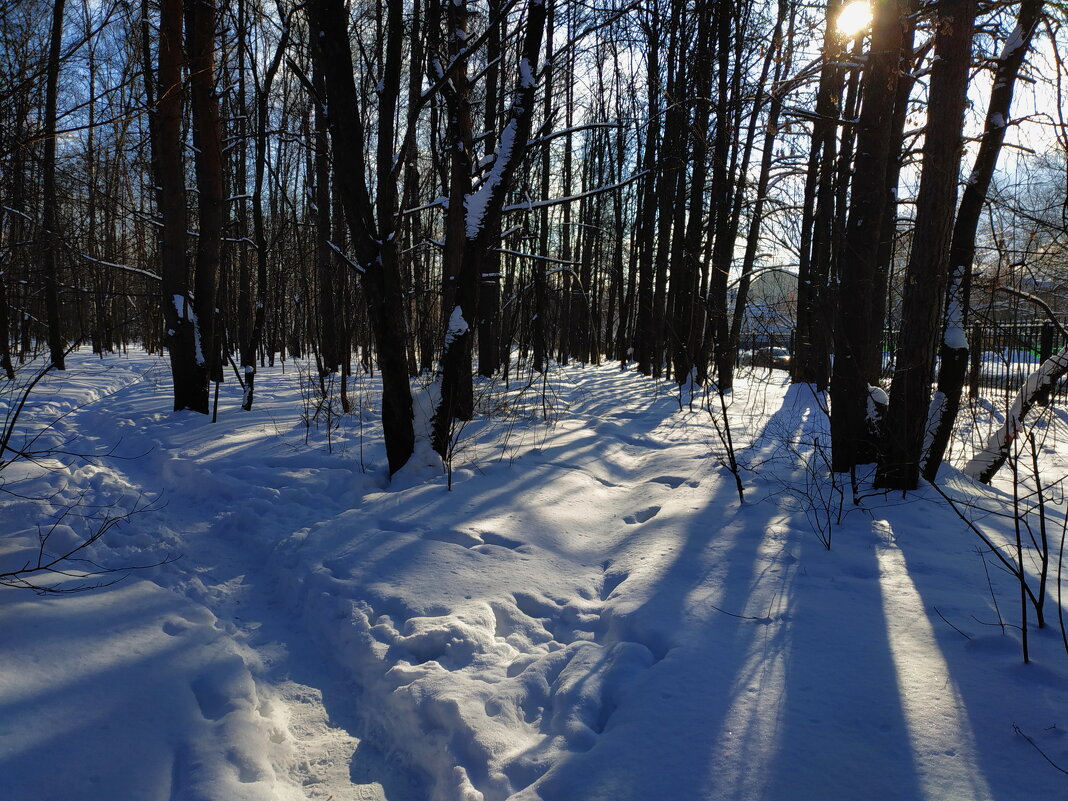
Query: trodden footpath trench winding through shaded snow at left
[[225, 517]]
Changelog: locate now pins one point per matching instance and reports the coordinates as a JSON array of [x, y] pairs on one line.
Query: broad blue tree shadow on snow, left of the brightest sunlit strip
[[778, 681]]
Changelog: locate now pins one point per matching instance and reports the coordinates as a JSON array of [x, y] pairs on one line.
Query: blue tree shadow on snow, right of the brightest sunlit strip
[[984, 686]]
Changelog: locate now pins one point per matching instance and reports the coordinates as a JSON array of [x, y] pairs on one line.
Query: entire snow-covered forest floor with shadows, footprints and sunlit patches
[[589, 614]]
